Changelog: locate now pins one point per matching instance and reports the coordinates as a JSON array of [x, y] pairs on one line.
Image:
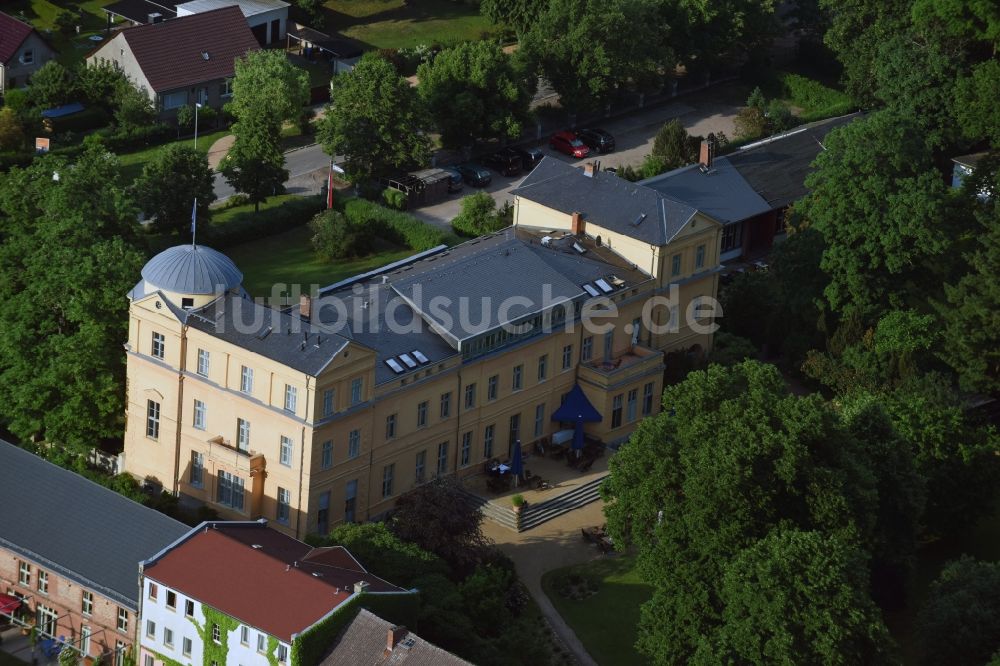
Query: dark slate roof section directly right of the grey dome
[[265, 331]]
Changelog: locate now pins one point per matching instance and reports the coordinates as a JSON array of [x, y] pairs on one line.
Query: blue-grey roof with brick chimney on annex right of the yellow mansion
[[721, 192]]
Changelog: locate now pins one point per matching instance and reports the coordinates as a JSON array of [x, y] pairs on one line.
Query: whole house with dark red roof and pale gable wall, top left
[[182, 61]]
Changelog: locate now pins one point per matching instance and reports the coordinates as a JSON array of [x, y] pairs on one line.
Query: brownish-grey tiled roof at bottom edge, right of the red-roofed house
[[364, 641]]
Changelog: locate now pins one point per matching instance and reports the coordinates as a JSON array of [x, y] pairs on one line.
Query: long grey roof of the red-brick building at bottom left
[[77, 529]]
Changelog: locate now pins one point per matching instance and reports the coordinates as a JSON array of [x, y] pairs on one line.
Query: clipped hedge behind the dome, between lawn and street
[[240, 224]]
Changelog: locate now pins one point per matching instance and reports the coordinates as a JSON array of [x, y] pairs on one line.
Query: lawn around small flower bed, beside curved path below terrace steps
[[607, 621]]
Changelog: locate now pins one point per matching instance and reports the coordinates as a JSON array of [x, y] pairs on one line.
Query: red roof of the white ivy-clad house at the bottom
[[281, 588]]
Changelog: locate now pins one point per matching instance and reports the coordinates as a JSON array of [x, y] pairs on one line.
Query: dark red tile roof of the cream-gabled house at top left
[[170, 52]]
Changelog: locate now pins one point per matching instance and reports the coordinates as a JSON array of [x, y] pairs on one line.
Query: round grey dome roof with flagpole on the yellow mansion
[[192, 269]]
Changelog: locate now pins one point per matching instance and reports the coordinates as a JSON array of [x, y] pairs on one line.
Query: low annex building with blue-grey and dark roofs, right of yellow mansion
[[749, 190]]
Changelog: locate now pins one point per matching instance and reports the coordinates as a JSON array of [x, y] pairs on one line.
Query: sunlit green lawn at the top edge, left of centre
[[385, 24]]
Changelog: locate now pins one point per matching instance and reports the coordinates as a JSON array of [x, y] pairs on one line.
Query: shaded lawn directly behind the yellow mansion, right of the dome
[[289, 258]]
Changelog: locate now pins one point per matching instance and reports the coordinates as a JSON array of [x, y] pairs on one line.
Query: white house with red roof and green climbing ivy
[[243, 593]]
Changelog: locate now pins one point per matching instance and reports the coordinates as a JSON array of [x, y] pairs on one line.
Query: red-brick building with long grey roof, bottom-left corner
[[69, 555]]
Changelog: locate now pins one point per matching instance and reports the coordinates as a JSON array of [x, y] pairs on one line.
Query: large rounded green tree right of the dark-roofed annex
[[878, 201]]
